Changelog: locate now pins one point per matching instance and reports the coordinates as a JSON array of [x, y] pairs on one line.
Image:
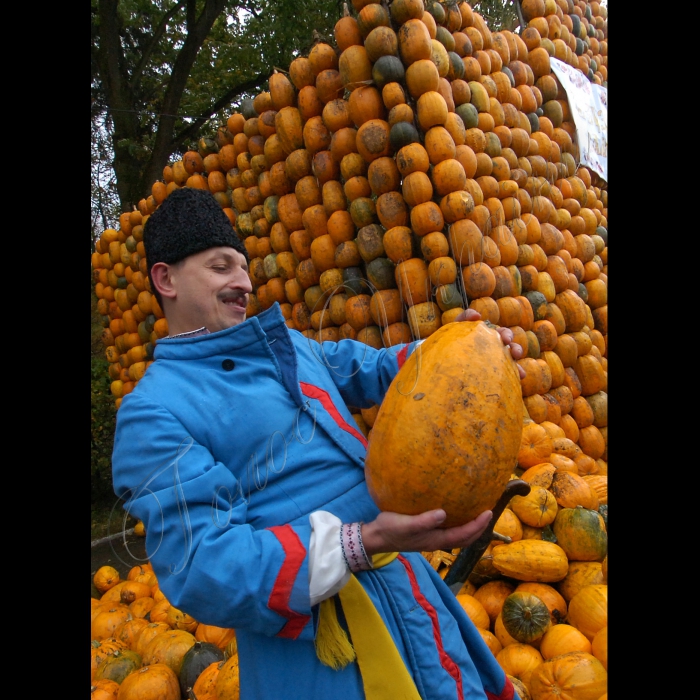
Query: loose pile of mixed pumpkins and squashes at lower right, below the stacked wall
[[540, 600]]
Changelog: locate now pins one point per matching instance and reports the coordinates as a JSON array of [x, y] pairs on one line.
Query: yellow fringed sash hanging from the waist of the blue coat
[[384, 674]]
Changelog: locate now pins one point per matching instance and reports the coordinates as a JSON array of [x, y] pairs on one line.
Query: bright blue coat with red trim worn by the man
[[232, 440]]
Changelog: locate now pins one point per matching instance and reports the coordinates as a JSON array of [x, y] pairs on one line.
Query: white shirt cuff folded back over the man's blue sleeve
[[328, 572]]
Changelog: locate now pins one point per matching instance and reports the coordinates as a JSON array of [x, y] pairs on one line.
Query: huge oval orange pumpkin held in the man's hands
[[448, 431]]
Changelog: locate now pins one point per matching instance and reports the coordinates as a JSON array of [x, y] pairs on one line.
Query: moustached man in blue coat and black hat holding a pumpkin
[[238, 452]]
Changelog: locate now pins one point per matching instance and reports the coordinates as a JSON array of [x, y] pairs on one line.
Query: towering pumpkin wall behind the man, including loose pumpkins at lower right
[[421, 165]]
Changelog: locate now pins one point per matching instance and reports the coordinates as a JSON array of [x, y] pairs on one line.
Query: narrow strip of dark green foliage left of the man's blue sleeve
[[102, 418]]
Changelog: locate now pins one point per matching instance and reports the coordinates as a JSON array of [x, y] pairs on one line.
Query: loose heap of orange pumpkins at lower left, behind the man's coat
[[143, 648]]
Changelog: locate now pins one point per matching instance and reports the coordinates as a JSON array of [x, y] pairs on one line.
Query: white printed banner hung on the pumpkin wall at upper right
[[589, 107]]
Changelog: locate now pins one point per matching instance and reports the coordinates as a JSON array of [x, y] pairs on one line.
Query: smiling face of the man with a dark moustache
[[212, 289]]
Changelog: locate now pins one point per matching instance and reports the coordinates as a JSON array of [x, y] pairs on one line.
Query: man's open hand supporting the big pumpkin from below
[[393, 532]]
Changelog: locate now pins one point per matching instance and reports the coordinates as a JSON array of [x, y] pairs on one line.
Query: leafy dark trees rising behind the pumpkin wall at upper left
[[165, 71]]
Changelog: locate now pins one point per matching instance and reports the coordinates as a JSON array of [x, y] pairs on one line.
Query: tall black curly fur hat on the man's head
[[188, 221]]
